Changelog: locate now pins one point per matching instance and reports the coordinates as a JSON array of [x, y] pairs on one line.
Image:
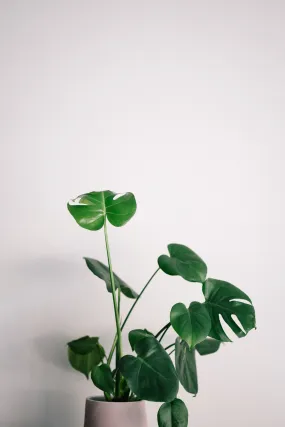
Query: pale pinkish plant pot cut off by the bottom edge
[[100, 413]]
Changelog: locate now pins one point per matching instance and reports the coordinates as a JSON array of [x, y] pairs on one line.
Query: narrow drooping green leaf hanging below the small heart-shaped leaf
[[185, 363]]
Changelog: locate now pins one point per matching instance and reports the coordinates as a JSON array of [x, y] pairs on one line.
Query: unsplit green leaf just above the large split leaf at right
[[183, 262]]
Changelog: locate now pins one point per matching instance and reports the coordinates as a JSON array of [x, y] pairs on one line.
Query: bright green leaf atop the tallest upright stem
[[90, 210]]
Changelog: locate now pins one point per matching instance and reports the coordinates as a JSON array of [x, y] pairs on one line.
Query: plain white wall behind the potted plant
[[181, 102]]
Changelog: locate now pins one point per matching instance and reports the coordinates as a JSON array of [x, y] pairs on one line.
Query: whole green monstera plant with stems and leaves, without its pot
[[149, 372]]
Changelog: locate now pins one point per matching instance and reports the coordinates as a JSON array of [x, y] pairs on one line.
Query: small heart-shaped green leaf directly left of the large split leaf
[[192, 324]]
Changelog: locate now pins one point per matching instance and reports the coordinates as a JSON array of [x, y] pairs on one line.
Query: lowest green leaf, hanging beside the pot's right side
[[173, 414]]
